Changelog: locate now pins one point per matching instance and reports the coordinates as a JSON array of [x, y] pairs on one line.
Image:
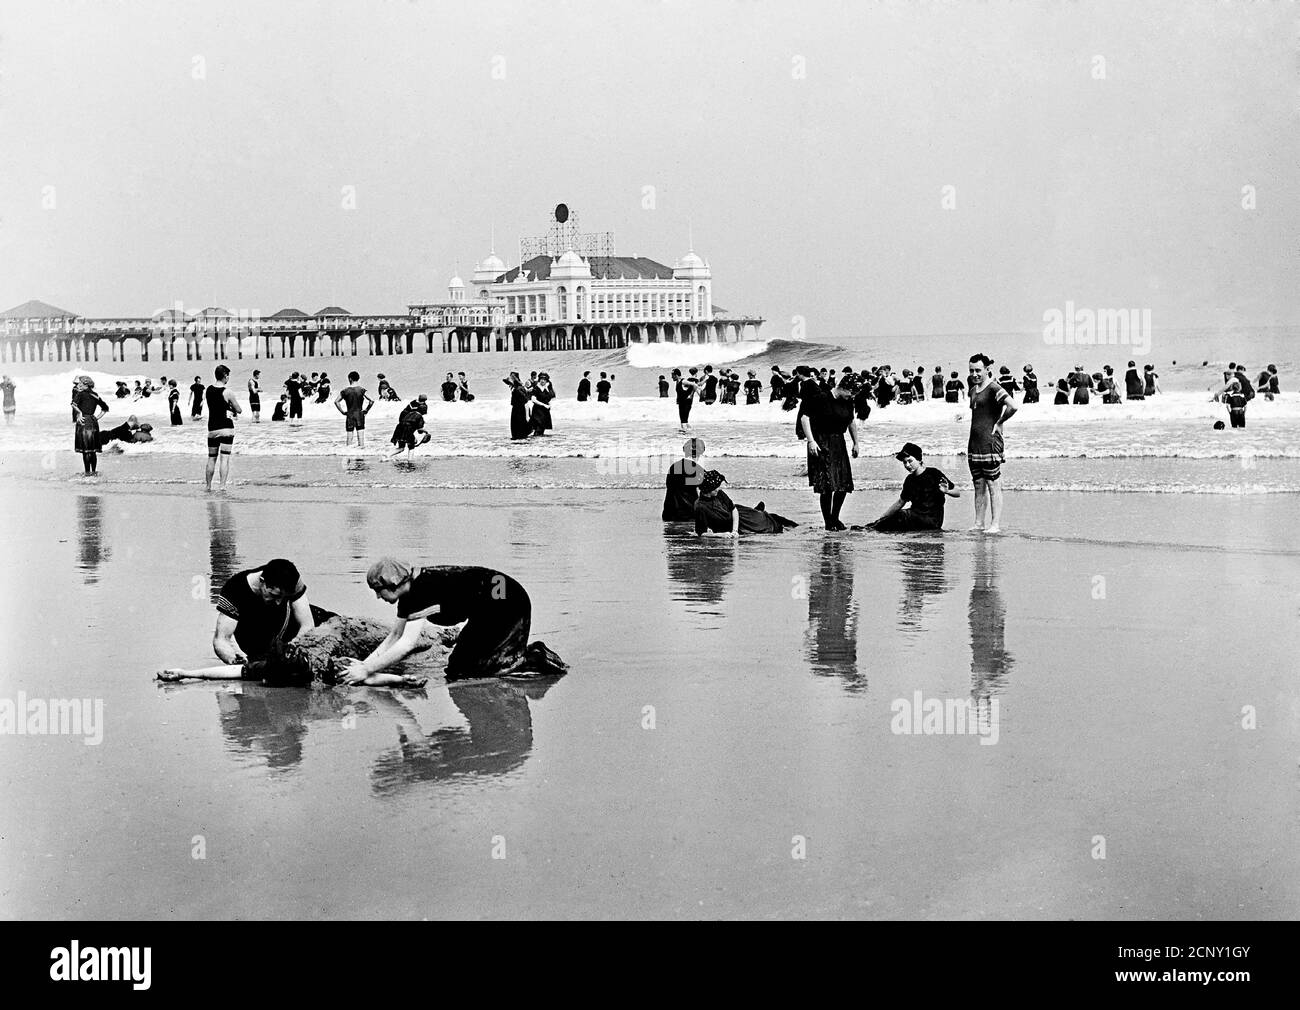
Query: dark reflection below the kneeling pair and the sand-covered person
[[272, 723]]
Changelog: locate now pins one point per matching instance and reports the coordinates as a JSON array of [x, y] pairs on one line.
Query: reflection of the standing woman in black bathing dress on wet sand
[[833, 635]]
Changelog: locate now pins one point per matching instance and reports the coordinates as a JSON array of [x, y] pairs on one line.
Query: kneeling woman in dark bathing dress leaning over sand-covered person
[[495, 608]]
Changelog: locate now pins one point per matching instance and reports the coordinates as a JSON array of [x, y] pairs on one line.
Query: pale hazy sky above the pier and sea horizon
[[1097, 153]]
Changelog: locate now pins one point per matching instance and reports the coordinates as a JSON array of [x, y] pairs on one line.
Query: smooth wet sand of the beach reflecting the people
[[772, 667]]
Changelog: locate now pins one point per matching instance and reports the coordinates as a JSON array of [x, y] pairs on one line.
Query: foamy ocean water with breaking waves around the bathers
[[1167, 444]]
